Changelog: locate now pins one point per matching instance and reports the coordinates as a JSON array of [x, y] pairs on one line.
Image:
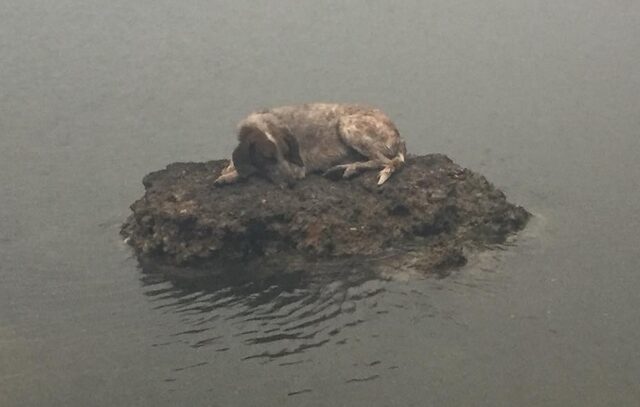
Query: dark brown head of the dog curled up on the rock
[[273, 154]]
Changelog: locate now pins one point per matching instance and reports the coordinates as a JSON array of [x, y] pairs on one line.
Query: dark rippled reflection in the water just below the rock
[[272, 318]]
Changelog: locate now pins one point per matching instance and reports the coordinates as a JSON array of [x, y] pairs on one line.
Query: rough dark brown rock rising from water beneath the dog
[[422, 219]]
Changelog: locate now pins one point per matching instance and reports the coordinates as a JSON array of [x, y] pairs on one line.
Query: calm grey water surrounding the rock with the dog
[[542, 97]]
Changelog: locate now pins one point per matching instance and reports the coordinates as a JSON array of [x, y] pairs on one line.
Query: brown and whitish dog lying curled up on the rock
[[285, 143]]
